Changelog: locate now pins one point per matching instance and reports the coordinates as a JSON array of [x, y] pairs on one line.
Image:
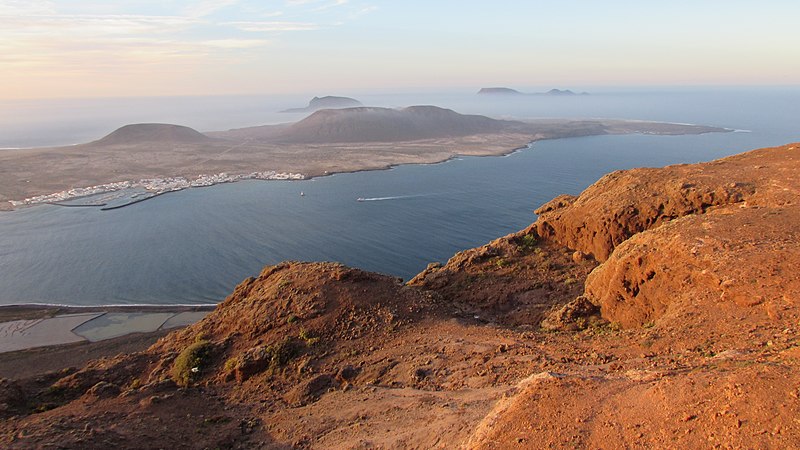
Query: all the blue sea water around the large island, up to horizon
[[194, 246]]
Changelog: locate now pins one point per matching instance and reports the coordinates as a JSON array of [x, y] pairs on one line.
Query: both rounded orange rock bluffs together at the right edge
[[713, 234]]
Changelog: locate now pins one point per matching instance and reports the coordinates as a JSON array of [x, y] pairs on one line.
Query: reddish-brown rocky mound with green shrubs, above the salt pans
[[295, 309]]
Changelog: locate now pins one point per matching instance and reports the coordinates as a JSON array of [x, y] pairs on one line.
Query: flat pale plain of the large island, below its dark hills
[[45, 175]]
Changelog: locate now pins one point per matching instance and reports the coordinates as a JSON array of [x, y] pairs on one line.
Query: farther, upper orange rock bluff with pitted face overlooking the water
[[624, 203]]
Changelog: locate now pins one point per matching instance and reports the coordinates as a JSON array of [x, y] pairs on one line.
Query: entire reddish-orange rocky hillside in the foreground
[[658, 309]]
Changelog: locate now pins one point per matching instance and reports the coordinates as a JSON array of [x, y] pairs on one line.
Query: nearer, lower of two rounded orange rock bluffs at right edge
[[702, 263]]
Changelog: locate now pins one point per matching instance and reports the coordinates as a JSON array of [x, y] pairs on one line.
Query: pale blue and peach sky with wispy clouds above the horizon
[[94, 48]]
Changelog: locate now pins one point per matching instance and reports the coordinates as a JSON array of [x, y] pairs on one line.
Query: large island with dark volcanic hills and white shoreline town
[[160, 158]]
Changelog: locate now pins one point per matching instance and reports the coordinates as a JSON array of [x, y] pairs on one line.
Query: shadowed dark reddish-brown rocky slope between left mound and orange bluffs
[[515, 280]]
